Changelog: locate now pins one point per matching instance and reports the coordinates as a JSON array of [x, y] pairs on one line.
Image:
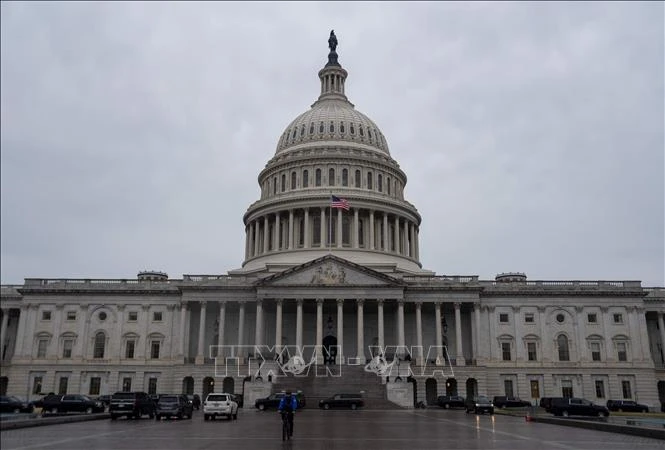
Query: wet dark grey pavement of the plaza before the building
[[317, 429]]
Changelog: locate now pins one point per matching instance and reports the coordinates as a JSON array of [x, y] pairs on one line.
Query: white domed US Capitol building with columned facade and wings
[[346, 281]]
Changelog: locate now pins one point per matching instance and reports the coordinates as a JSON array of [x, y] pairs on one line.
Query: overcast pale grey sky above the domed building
[[531, 133]]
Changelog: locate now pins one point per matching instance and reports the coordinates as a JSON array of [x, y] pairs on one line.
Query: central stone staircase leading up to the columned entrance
[[350, 379]]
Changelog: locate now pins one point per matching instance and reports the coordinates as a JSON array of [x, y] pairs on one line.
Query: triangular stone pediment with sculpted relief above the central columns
[[329, 270]]
